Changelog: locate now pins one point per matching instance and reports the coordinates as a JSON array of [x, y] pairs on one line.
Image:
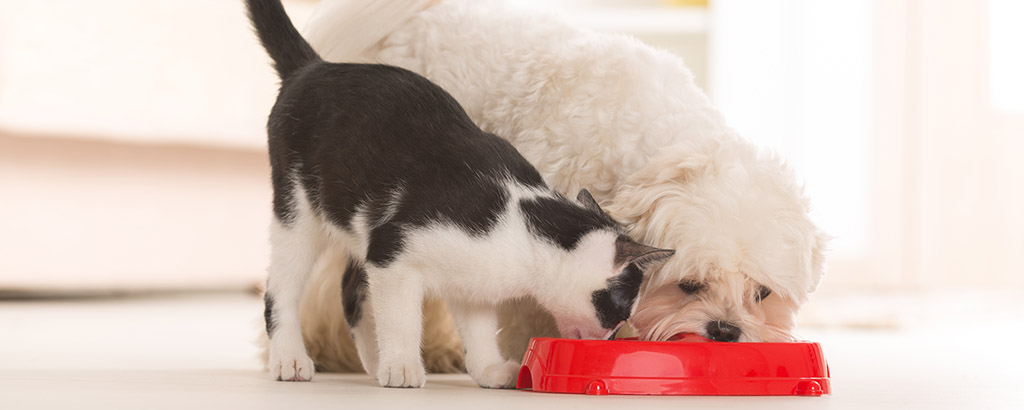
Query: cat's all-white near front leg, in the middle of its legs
[[398, 310]]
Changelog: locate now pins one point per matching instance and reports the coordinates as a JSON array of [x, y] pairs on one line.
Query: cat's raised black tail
[[288, 50]]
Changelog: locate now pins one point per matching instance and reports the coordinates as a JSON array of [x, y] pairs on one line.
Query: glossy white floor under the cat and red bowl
[[197, 352]]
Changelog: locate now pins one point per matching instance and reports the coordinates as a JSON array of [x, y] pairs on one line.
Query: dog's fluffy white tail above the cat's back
[[346, 31]]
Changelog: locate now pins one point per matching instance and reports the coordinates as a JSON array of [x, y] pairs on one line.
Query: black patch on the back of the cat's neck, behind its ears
[[562, 222]]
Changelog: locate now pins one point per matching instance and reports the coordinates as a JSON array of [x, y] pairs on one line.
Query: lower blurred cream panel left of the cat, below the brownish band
[[102, 217]]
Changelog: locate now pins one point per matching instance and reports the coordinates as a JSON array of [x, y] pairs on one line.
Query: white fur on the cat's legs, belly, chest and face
[[473, 274]]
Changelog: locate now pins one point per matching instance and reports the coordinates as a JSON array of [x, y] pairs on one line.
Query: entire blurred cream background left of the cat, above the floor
[[111, 117]]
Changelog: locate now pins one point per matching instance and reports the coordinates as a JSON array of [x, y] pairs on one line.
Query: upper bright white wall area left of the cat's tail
[[187, 71]]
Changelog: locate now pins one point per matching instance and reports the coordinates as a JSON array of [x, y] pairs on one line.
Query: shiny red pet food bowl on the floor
[[690, 365]]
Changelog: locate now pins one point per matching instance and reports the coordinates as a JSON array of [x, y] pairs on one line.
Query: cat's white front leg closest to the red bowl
[[479, 327]]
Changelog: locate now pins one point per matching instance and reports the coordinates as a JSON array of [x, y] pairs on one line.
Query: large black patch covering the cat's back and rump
[[352, 134]]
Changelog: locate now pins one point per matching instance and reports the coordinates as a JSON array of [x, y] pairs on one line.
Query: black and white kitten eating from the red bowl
[[378, 162]]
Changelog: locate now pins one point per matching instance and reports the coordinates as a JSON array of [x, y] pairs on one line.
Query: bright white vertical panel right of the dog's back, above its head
[[794, 76]]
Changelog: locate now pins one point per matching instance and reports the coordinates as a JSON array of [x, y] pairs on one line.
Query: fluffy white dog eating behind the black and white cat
[[612, 114]]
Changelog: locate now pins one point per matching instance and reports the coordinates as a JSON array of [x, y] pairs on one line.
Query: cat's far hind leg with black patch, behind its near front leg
[[360, 315]]
